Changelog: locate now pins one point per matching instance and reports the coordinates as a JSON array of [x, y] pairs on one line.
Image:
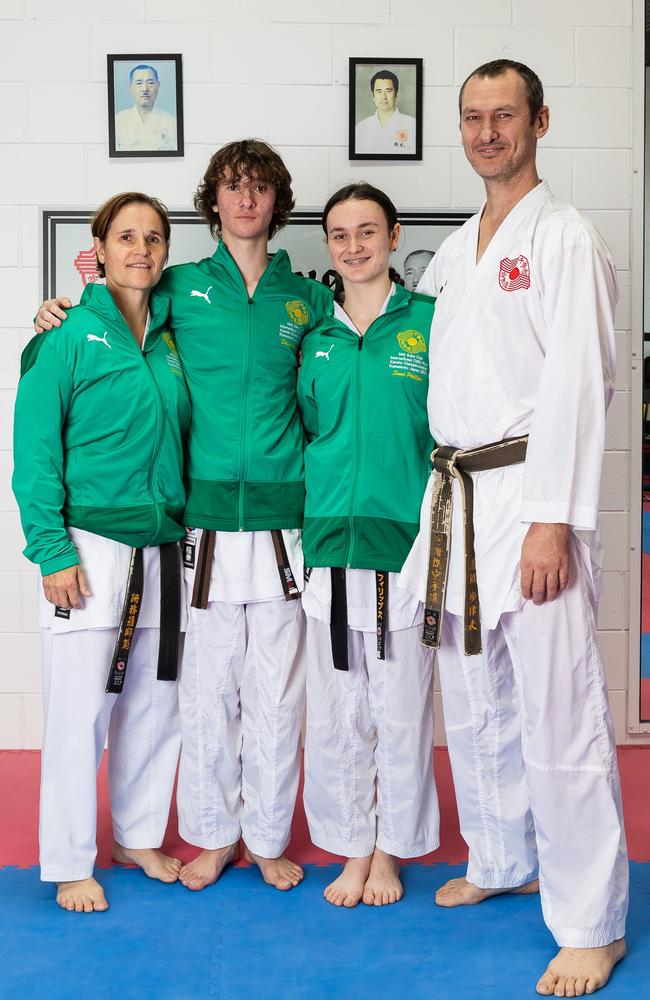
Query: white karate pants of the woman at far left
[[143, 730]]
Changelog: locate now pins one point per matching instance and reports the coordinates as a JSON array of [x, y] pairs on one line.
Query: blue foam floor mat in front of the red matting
[[241, 940]]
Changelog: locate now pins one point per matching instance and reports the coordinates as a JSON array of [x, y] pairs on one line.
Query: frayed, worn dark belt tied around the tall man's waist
[[450, 464]]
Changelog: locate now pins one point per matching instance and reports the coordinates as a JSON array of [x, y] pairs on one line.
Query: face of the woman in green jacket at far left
[[134, 250]]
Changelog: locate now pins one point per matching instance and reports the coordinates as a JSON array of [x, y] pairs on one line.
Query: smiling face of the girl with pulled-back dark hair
[[359, 240]]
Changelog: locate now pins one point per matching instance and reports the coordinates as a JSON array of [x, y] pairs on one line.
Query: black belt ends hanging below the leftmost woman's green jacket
[[170, 617]]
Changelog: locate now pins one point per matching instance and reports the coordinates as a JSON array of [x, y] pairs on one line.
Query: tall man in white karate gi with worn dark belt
[[522, 346]]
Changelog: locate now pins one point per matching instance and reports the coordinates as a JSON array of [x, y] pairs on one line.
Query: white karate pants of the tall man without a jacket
[[534, 761]]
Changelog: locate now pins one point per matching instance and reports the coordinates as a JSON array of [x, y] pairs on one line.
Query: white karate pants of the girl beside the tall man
[[368, 752]]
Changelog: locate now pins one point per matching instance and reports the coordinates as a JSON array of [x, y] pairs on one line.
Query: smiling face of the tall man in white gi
[[498, 138]]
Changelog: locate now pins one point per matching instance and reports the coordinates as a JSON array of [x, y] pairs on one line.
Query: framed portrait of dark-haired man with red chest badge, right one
[[385, 118]]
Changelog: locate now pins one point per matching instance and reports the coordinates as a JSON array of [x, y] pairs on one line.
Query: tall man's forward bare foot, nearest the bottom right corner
[[576, 971]]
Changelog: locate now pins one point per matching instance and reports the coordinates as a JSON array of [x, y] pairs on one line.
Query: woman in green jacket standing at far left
[[101, 414]]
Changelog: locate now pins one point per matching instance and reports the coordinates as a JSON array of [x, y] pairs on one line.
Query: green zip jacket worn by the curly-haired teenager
[[245, 464]]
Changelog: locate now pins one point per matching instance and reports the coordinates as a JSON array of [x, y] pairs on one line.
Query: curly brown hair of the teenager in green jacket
[[255, 159]]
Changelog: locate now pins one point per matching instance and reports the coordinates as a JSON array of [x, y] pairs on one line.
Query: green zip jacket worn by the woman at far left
[[99, 432]]
